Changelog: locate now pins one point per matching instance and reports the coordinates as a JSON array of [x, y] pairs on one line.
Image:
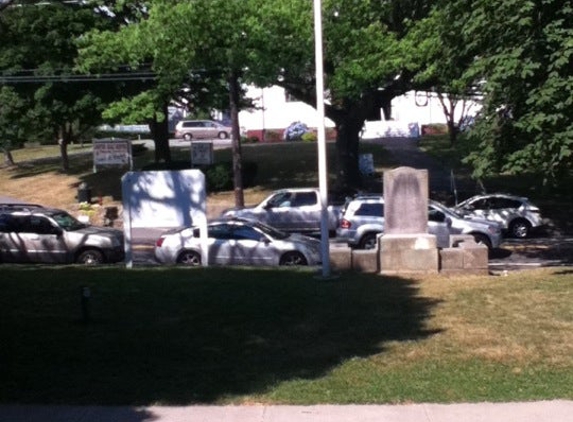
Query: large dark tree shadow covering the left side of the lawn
[[181, 336]]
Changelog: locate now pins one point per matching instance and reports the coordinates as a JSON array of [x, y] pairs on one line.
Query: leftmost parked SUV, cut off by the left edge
[[32, 233]]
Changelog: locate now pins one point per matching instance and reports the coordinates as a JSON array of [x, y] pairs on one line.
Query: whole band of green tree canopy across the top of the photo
[[517, 54]]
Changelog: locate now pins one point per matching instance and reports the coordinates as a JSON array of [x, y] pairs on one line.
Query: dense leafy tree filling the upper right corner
[[526, 63]]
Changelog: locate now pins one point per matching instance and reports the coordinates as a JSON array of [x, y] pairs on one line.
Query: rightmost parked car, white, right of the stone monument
[[516, 214]]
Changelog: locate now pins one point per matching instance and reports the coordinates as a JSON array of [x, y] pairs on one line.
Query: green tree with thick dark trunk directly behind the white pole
[[365, 61]]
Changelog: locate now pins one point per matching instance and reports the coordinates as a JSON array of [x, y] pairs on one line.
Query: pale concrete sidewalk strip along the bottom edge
[[542, 411]]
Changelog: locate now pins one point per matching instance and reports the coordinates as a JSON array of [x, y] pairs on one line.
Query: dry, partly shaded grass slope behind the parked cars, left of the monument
[[279, 165]]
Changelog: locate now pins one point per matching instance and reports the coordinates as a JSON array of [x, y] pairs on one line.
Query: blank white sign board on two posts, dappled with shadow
[[164, 199]]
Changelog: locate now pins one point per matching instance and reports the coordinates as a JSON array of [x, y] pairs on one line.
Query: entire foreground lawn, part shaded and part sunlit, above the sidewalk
[[242, 336]]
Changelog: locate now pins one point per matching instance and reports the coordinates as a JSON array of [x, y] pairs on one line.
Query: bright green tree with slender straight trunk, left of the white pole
[[196, 54]]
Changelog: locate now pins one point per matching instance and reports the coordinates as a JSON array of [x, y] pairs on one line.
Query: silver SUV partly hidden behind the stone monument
[[362, 220]]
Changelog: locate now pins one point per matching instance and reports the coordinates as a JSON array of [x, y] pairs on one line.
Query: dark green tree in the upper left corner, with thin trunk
[[37, 58]]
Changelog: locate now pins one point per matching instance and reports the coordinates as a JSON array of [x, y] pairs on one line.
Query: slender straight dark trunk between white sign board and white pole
[[234, 90]]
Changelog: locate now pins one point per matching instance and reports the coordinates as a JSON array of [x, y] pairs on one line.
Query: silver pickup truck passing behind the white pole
[[295, 210]]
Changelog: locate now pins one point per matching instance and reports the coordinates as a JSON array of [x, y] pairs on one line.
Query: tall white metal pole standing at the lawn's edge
[[322, 163]]
